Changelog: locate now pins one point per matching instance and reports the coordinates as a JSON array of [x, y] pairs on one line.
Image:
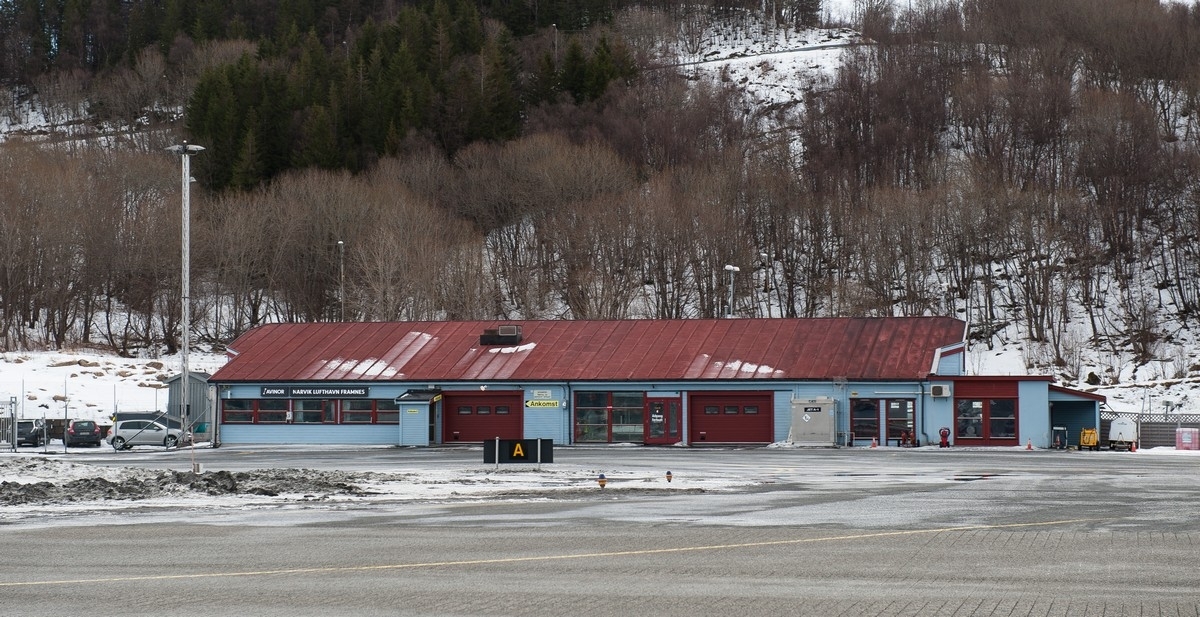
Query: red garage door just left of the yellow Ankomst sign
[[477, 417]]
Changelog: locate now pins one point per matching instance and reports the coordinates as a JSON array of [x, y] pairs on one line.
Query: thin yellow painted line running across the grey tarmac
[[539, 559]]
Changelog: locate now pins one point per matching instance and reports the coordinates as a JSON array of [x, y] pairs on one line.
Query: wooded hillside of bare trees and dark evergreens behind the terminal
[[1029, 166]]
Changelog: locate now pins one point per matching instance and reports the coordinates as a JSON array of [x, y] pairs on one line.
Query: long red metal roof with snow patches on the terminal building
[[635, 350]]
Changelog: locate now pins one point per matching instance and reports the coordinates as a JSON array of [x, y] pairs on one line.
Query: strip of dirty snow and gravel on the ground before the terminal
[[32, 487]]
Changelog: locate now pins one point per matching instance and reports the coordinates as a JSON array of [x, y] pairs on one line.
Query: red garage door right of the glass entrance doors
[[731, 418]]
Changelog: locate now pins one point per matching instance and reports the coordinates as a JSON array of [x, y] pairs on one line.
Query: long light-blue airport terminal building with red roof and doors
[[670, 382]]
